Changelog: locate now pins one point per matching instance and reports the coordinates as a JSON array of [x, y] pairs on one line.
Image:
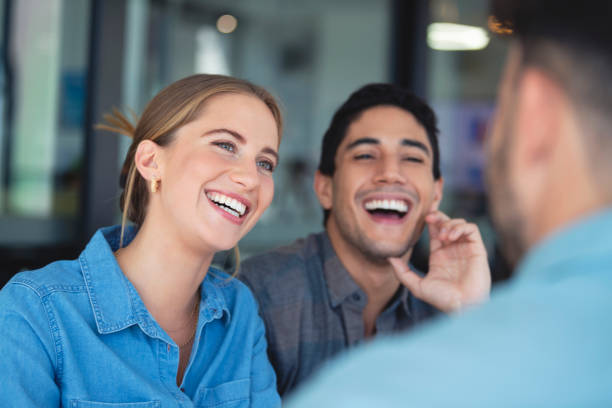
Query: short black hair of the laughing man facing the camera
[[367, 97]]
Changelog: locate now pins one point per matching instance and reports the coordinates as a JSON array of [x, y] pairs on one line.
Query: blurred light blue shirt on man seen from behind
[[544, 340]]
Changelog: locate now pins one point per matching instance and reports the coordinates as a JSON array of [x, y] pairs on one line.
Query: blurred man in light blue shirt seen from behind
[[543, 339]]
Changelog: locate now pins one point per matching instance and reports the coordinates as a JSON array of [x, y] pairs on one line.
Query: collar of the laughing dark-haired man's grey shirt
[[340, 283]]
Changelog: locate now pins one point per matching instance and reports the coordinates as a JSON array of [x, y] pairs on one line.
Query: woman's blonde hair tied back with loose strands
[[173, 107]]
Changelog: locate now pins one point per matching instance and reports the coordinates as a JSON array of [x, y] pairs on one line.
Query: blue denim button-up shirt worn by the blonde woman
[[77, 334]]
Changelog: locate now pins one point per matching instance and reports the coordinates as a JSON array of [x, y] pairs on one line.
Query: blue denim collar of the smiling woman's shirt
[[114, 300]]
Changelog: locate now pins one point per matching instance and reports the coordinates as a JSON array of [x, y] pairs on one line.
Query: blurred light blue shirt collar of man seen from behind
[[582, 239]]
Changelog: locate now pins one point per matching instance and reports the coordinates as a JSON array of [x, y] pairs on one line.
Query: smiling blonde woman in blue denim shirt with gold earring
[[142, 301]]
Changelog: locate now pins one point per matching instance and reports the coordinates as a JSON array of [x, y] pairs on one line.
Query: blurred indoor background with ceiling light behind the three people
[[64, 63]]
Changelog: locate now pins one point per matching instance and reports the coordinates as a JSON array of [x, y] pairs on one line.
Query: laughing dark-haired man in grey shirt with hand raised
[[379, 184]]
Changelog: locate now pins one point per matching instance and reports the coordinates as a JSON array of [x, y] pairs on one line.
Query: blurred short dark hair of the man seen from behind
[[571, 42]]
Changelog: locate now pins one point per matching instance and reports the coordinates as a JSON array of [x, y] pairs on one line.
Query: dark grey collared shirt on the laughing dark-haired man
[[313, 309]]
